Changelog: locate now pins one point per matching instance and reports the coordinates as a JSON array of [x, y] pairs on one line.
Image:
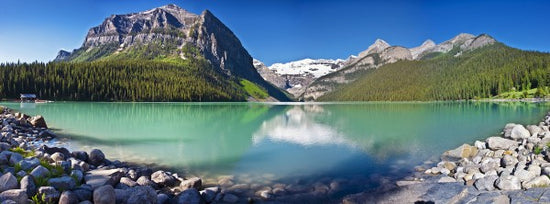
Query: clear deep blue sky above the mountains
[[285, 30]]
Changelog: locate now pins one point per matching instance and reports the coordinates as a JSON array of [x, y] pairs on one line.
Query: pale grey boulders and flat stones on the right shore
[[511, 168]]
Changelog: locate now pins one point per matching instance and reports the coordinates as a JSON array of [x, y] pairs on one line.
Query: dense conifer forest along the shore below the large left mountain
[[130, 80]]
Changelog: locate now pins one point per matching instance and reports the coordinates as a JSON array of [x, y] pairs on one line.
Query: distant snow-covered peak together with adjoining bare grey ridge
[[314, 78]]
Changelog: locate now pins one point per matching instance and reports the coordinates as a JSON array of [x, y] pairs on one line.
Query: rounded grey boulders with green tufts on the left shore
[[34, 173]]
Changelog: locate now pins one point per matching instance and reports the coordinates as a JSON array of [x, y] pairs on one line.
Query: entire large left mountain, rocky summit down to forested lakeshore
[[162, 54]]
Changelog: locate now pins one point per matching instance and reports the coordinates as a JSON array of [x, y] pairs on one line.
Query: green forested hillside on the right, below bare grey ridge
[[482, 73]]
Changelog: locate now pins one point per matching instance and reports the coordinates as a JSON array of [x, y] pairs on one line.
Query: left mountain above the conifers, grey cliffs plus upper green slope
[[171, 33]]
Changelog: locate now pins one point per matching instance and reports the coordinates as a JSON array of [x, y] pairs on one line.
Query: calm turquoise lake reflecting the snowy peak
[[347, 147]]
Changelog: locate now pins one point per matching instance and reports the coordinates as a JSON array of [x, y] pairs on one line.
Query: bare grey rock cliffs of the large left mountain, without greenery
[[170, 23]]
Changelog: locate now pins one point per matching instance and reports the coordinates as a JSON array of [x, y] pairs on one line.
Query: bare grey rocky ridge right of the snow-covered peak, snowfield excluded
[[381, 53]]
